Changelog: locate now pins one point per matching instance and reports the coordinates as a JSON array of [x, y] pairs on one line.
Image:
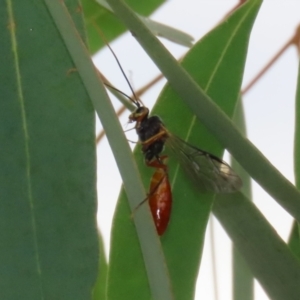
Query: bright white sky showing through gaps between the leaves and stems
[[269, 109]]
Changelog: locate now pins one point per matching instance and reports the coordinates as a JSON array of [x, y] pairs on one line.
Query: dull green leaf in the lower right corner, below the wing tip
[[268, 257]]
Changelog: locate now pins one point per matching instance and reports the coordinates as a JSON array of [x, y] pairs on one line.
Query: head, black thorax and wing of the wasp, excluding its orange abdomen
[[209, 172]]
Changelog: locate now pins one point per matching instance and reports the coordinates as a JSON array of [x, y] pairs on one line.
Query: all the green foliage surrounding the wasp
[[49, 240]]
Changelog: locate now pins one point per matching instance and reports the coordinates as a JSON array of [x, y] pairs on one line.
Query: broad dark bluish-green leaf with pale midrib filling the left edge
[[48, 236]]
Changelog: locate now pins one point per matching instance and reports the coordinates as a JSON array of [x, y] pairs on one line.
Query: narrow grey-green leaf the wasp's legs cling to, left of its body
[[115, 135]]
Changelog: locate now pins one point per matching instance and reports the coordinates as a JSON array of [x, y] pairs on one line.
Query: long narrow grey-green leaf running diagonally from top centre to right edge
[[259, 168]]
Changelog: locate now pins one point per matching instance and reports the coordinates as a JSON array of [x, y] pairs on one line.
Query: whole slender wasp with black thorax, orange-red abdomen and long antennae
[[209, 172]]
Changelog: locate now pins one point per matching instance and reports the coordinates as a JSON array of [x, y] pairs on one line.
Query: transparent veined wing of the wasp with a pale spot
[[208, 172]]
